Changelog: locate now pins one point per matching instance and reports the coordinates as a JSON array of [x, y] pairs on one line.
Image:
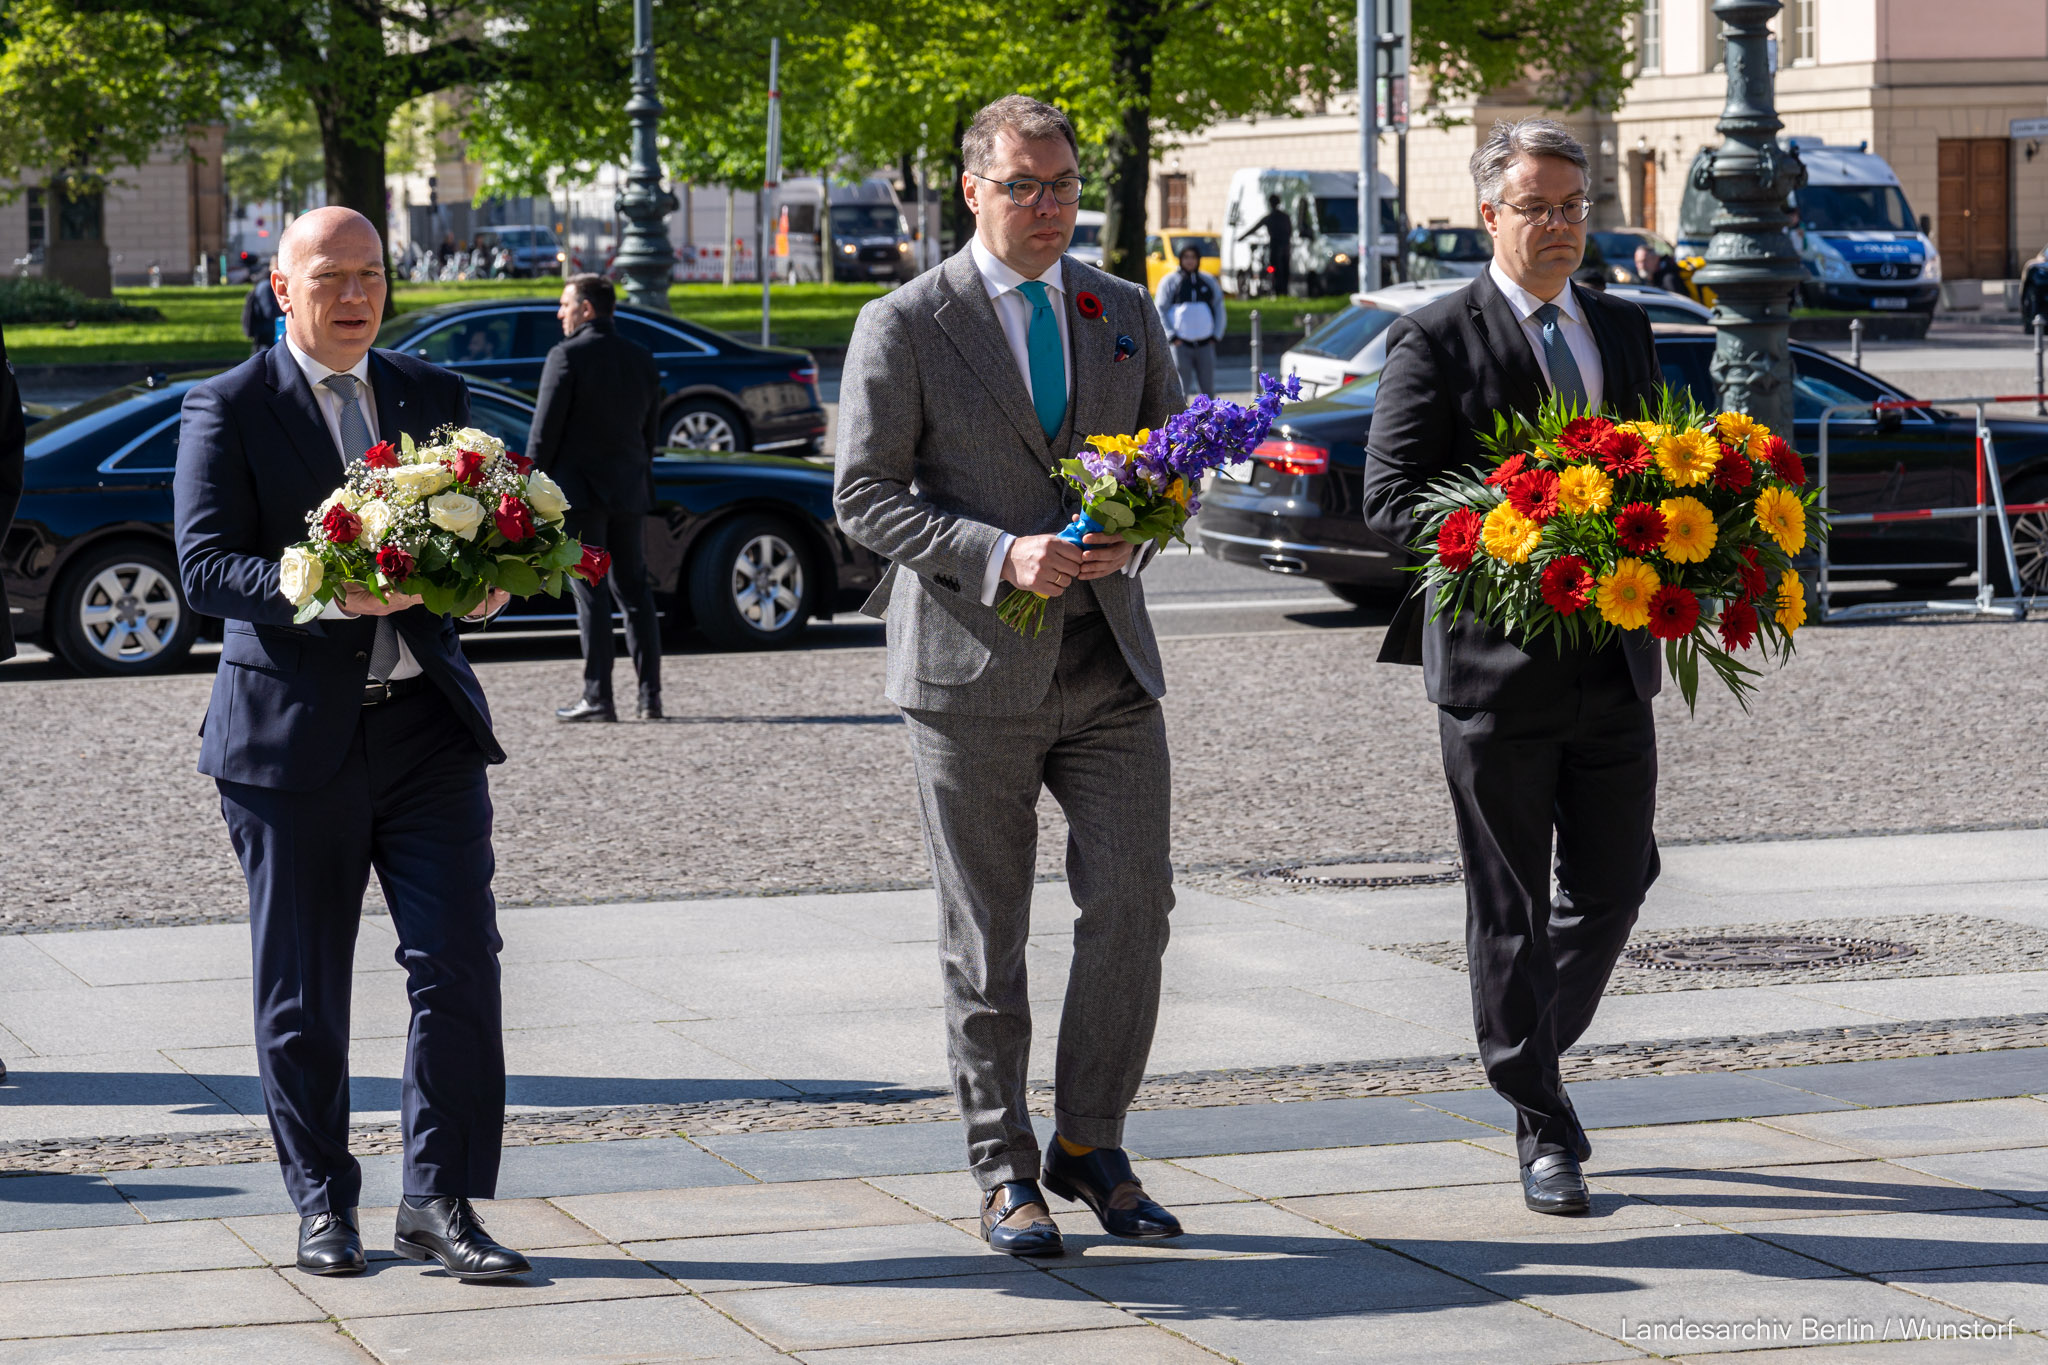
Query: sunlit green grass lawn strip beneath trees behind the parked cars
[[204, 326]]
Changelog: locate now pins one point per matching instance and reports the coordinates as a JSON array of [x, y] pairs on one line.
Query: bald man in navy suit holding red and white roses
[[347, 746]]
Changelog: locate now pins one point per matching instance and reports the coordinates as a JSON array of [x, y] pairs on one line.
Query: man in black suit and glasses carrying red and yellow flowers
[[1537, 740]]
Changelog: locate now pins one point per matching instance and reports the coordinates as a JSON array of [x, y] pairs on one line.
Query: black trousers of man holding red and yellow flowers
[[1582, 768]]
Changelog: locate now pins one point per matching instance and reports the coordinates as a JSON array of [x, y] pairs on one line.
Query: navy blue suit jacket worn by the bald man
[[255, 457]]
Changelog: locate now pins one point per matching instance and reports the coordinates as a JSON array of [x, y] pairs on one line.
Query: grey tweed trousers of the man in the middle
[[1099, 744]]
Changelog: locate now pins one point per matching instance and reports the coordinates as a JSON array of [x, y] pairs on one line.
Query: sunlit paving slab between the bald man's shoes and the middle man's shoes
[[738, 1210]]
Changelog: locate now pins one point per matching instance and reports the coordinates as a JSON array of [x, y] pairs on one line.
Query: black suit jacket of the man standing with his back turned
[[597, 423]]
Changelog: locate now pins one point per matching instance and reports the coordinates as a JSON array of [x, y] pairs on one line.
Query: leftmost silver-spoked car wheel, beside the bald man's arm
[[120, 613]]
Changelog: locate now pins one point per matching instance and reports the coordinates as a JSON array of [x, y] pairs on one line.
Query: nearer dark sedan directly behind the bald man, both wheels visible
[[742, 547]]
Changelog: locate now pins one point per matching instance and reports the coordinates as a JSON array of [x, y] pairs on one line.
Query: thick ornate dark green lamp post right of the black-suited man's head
[[1752, 263]]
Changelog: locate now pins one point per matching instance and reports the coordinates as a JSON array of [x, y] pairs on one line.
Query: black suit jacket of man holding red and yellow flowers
[[1449, 369]]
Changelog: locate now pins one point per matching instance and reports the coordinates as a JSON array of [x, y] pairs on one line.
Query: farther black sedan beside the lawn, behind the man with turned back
[[722, 394]]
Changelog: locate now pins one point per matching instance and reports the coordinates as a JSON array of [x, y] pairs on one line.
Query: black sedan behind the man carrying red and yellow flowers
[[1295, 509]]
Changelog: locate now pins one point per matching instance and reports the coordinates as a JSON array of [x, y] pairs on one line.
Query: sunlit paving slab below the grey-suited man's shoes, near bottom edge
[[876, 1315]]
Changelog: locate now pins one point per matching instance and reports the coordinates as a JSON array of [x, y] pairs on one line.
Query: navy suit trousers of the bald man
[[413, 805]]
